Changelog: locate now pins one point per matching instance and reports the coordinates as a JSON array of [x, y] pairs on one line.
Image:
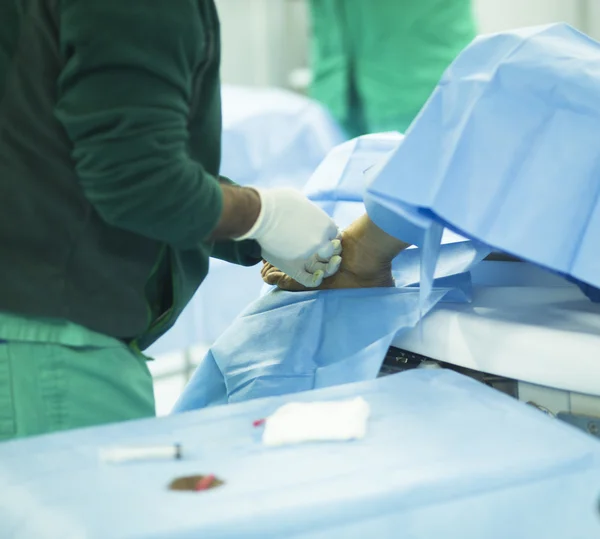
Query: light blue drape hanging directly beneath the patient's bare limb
[[289, 342]]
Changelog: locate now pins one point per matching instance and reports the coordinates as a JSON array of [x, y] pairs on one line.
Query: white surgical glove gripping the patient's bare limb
[[296, 236]]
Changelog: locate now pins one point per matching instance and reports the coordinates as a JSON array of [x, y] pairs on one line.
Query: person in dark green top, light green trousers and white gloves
[[111, 203]]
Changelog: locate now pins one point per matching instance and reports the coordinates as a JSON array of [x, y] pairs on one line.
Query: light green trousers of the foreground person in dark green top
[[57, 375]]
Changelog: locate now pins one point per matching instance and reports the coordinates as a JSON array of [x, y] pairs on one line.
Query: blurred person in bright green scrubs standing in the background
[[376, 62]]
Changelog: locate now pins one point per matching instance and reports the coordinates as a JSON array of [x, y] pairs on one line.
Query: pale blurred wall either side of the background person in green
[[265, 42]]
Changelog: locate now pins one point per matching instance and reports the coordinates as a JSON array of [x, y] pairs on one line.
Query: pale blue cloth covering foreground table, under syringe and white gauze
[[444, 457]]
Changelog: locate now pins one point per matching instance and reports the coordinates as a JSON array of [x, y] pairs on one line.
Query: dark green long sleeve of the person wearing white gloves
[[124, 99]]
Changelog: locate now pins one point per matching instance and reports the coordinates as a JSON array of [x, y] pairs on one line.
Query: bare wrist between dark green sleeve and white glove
[[241, 207]]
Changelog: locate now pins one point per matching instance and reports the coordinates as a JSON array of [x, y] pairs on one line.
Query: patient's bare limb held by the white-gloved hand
[[366, 261]]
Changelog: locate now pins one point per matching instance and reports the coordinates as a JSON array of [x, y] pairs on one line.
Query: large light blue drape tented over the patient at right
[[506, 152]]
